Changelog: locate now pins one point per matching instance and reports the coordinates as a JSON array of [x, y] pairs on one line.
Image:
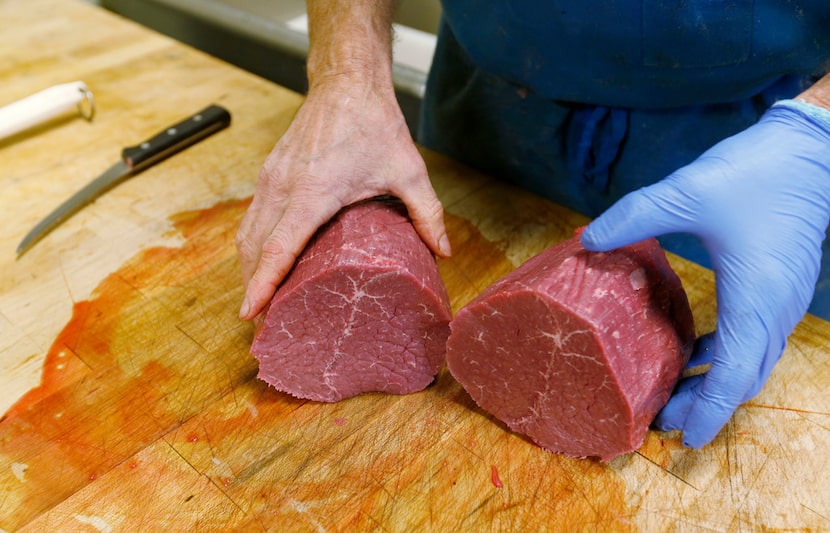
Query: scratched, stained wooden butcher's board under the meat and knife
[[129, 400]]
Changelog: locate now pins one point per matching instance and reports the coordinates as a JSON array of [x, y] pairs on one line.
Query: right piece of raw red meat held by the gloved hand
[[576, 350]]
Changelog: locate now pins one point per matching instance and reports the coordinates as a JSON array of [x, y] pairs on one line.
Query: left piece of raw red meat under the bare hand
[[364, 309]]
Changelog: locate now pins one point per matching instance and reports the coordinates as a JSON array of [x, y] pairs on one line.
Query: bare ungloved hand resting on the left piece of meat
[[347, 143]]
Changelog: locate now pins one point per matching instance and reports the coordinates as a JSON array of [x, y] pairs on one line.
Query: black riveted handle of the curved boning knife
[[177, 137]]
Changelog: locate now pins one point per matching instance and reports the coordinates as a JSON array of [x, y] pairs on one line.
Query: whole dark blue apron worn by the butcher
[[583, 101]]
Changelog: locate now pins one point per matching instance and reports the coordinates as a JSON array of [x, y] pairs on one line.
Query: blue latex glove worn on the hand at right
[[760, 202]]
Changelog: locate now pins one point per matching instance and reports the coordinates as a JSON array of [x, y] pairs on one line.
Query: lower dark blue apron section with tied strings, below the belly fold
[[581, 155]]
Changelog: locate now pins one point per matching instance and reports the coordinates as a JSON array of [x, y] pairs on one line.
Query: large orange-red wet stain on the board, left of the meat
[[134, 361]]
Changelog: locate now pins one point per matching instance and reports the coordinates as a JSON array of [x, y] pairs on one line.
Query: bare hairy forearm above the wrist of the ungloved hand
[[350, 42]]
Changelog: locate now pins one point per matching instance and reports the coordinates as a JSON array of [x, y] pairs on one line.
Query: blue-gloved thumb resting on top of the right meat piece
[[648, 212]]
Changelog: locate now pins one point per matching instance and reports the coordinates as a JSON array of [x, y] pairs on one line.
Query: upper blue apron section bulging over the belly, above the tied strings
[[644, 53]]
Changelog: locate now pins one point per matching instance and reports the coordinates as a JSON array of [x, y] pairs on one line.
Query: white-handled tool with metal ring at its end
[[44, 106]]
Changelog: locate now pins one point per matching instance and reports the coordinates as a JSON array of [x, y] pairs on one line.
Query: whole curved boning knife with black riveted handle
[[134, 159]]
